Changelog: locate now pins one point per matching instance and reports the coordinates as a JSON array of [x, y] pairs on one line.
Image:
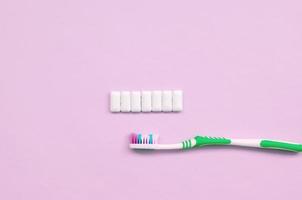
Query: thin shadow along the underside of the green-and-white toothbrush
[[217, 148]]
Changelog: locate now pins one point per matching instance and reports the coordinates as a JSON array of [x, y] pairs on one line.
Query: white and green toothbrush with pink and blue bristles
[[139, 141]]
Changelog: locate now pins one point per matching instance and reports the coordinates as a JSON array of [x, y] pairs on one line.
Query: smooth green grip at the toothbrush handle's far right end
[[270, 144]]
